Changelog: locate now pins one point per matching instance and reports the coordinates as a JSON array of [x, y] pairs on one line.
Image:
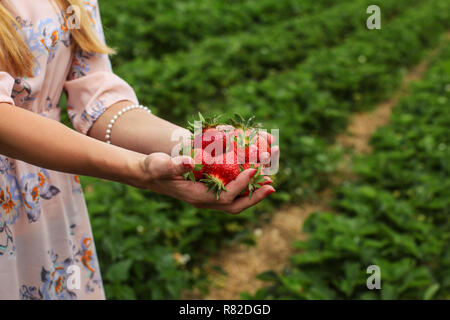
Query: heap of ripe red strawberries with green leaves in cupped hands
[[216, 170]]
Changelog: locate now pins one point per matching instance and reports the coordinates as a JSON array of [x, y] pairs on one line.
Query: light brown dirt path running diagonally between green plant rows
[[273, 248]]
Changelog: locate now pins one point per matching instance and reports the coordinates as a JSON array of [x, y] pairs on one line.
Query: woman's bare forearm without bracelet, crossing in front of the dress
[[47, 143]]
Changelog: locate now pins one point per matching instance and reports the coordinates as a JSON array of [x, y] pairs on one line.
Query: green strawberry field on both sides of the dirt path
[[304, 67]]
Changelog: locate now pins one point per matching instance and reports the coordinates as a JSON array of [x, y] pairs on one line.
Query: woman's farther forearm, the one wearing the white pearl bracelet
[[136, 130]]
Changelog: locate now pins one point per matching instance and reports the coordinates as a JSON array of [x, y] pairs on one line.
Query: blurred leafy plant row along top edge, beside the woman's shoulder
[[162, 26]]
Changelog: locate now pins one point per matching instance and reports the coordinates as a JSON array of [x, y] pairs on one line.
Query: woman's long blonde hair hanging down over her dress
[[17, 59]]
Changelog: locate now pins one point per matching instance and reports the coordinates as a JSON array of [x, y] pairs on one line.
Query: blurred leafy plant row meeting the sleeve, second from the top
[[184, 81]]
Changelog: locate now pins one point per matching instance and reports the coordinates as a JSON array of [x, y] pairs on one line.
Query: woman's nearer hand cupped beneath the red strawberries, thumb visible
[[164, 174]]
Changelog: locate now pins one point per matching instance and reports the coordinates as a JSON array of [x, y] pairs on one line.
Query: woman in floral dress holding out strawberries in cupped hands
[[45, 236]]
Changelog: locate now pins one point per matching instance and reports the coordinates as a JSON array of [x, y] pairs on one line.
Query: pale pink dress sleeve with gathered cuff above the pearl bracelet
[[91, 85]]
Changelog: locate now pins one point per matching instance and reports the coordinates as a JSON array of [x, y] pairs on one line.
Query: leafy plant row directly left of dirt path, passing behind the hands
[[152, 246]]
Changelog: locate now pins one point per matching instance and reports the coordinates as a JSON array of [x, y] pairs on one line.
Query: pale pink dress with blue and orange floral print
[[47, 249]]
